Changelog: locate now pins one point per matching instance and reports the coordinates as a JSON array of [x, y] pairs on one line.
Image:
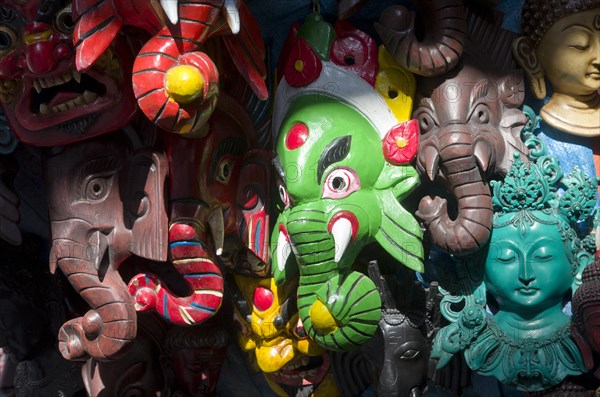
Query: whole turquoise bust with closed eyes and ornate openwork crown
[[532, 263]]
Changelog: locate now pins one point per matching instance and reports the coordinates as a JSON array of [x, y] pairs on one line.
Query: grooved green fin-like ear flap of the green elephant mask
[[399, 233]]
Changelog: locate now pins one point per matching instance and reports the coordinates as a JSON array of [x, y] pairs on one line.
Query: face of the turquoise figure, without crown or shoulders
[[528, 276]]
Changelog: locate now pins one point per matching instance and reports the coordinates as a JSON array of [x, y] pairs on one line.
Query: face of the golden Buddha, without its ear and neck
[[569, 53]]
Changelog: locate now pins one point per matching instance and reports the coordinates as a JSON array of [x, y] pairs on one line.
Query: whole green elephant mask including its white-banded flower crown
[[343, 161]]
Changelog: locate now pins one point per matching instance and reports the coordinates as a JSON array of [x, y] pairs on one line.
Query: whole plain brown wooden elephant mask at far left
[[106, 202]]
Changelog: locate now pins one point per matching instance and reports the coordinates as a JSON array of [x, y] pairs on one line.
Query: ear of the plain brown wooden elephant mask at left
[[146, 213]]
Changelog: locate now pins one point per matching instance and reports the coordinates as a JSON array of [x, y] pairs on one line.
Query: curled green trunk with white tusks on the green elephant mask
[[340, 309]]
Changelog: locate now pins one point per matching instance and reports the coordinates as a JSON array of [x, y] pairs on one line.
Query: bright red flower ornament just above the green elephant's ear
[[401, 142]]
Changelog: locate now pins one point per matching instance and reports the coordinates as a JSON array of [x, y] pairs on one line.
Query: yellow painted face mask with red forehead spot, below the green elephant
[[287, 357]]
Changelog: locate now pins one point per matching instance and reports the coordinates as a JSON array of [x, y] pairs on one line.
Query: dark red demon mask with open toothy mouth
[[47, 101]]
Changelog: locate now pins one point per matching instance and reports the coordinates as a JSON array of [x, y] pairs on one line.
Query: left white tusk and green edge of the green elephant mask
[[283, 261]]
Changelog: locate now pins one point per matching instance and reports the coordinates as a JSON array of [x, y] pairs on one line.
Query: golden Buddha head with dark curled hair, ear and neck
[[564, 47]]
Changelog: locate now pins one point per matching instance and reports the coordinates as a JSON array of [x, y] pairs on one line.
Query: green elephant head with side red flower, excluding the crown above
[[340, 193]]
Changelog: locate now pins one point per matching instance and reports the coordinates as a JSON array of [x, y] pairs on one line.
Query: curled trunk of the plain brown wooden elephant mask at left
[[110, 326]]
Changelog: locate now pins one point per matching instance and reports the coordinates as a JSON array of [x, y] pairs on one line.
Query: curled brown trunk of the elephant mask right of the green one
[[472, 227]]
